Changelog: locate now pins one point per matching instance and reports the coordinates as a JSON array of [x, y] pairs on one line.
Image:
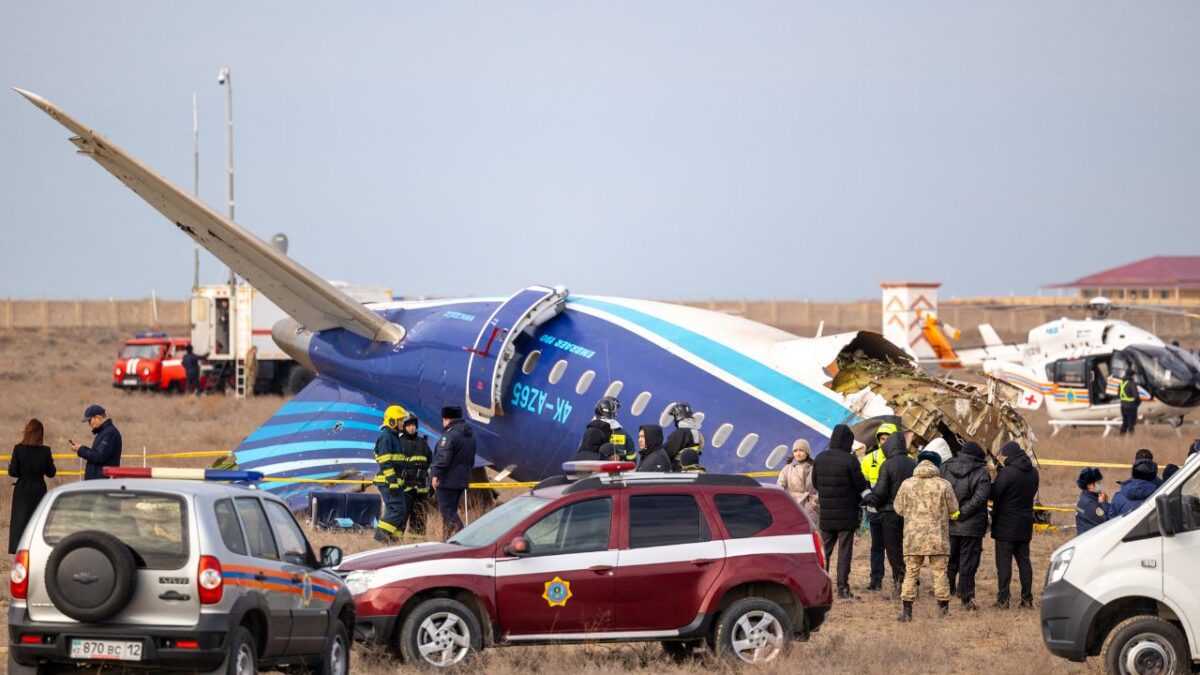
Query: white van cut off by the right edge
[[1129, 590]]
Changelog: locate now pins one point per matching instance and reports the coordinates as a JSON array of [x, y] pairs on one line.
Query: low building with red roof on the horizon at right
[[1161, 279]]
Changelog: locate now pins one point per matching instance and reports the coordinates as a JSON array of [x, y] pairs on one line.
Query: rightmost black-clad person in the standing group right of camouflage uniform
[[1012, 522]]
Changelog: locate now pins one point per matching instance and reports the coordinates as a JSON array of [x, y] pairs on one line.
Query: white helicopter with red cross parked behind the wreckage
[[1076, 368]]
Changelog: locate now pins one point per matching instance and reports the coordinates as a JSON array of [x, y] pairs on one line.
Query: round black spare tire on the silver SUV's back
[[92, 576]]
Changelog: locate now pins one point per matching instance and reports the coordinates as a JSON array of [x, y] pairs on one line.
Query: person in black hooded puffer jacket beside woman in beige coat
[[841, 489]]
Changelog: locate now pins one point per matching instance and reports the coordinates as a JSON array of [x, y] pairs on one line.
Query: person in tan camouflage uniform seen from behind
[[926, 503]]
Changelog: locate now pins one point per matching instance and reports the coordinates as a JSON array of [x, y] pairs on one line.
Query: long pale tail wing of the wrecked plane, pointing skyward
[[305, 297]]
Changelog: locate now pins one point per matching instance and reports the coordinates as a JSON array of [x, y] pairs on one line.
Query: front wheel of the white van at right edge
[[1145, 646]]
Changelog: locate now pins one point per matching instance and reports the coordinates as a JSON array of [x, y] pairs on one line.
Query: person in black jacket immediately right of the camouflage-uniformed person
[[968, 474]]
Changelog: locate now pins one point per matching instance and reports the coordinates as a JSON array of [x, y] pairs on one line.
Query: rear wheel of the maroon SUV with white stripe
[[753, 631]]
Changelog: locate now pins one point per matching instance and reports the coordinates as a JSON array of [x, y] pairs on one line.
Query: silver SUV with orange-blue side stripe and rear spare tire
[[173, 575]]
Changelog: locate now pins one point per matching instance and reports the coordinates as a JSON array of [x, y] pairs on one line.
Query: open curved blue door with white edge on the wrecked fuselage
[[494, 348]]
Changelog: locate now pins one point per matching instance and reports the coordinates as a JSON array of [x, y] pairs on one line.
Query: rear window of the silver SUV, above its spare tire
[[151, 524]]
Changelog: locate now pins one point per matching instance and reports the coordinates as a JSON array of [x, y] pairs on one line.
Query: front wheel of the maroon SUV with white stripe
[[441, 634]]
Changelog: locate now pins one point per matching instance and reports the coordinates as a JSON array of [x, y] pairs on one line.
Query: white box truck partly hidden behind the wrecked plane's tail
[[225, 338]]
